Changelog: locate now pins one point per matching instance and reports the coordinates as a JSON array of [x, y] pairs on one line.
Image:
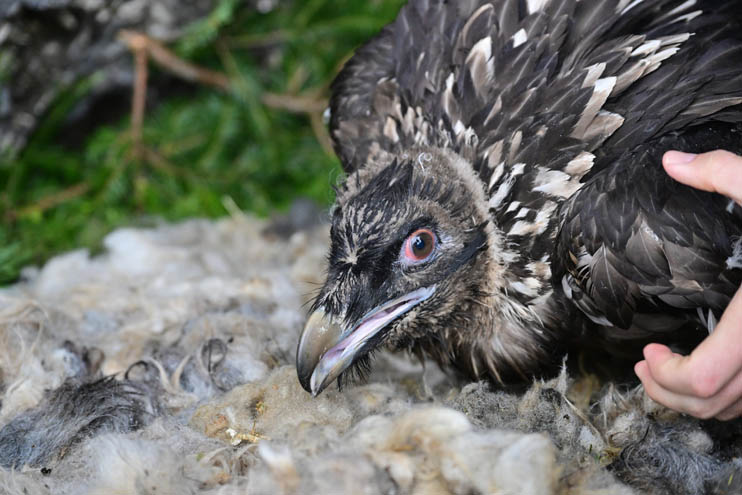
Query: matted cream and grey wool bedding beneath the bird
[[165, 365]]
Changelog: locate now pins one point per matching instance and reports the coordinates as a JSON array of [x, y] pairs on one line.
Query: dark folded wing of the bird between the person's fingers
[[643, 253]]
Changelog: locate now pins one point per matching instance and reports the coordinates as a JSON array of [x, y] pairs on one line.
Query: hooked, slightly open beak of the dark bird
[[327, 348]]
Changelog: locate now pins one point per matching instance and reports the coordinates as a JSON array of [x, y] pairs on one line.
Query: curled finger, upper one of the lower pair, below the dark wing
[[710, 366]]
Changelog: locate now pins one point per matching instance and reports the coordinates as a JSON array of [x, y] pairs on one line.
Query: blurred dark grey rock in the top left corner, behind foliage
[[47, 45]]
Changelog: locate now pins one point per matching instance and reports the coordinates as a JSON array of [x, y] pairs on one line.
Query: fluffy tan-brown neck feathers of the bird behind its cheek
[[508, 338]]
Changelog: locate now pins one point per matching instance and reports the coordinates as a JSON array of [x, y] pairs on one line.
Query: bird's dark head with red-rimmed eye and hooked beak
[[405, 263]]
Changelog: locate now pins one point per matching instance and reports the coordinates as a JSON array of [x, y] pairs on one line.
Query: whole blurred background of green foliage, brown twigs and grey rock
[[235, 92]]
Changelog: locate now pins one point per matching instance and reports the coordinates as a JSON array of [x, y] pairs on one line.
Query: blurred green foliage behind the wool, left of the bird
[[203, 146]]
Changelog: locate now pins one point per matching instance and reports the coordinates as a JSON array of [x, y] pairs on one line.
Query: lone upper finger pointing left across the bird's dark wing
[[717, 171]]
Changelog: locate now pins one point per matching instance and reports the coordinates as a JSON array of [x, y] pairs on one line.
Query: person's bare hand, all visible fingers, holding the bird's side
[[708, 382]]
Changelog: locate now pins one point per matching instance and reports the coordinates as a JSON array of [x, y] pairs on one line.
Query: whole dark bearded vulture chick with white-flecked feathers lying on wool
[[505, 194]]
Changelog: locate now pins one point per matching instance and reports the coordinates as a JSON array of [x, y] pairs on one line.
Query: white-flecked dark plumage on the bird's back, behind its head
[[538, 95]]
